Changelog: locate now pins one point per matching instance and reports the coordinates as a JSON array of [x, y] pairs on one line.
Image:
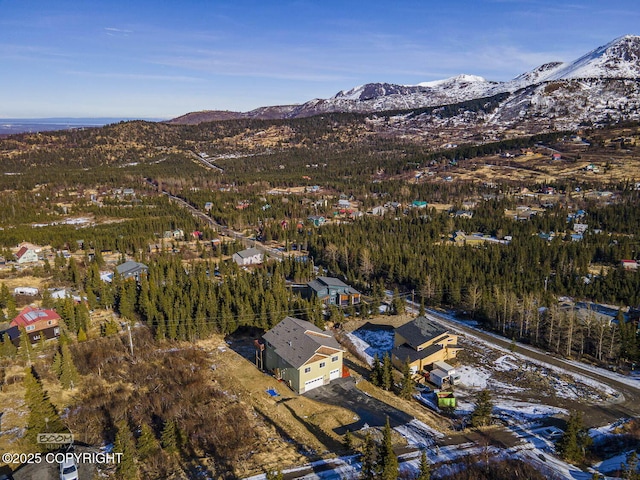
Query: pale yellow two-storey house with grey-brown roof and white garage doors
[[302, 355]]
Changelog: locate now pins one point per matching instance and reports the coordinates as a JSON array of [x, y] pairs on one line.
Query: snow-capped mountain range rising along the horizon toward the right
[[602, 85]]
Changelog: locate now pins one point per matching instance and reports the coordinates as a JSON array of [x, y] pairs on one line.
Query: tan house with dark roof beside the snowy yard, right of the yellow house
[[422, 342]]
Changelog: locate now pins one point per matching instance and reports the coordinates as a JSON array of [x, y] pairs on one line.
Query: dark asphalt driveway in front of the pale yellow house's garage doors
[[373, 412]]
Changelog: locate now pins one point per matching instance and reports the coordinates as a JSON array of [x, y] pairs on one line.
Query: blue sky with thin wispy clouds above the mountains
[[164, 58]]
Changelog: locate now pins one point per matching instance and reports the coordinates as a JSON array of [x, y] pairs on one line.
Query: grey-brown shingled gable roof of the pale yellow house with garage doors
[[298, 341]]
